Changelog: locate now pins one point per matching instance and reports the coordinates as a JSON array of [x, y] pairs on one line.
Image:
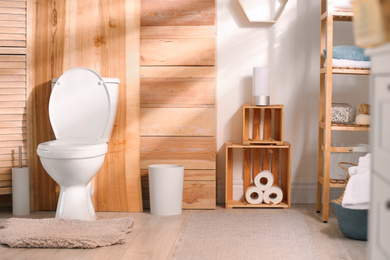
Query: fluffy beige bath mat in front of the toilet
[[64, 233]]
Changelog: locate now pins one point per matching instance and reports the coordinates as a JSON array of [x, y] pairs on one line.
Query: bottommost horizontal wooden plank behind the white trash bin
[[196, 194]]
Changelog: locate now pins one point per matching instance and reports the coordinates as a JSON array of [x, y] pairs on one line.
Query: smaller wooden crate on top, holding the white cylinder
[[266, 122]]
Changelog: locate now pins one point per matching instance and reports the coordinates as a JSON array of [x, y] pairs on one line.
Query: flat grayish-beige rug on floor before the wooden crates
[[245, 236]]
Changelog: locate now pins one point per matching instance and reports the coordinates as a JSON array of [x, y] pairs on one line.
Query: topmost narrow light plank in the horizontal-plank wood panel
[[177, 32]]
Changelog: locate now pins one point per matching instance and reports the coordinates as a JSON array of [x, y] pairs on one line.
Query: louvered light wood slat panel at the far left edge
[[13, 131]]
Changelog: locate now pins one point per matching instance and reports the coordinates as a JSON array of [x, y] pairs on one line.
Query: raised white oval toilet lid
[[79, 105]]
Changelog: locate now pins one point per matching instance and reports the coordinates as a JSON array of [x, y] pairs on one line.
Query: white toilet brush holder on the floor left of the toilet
[[20, 191]]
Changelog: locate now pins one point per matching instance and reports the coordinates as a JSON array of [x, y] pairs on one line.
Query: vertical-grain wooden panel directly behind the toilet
[[102, 35]]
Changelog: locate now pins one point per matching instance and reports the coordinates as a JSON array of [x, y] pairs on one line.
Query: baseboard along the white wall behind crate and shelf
[[301, 192]]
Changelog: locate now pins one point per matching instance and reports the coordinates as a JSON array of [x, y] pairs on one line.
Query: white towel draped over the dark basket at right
[[357, 191]]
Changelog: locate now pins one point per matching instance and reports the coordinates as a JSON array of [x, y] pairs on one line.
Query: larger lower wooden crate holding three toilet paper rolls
[[275, 158]]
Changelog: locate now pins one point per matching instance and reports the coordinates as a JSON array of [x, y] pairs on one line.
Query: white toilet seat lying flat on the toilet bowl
[[72, 149]]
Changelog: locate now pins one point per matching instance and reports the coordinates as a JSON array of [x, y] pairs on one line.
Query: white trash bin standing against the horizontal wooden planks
[[166, 189]]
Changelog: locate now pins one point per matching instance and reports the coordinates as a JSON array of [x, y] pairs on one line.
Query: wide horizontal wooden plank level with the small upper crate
[[177, 122]]
